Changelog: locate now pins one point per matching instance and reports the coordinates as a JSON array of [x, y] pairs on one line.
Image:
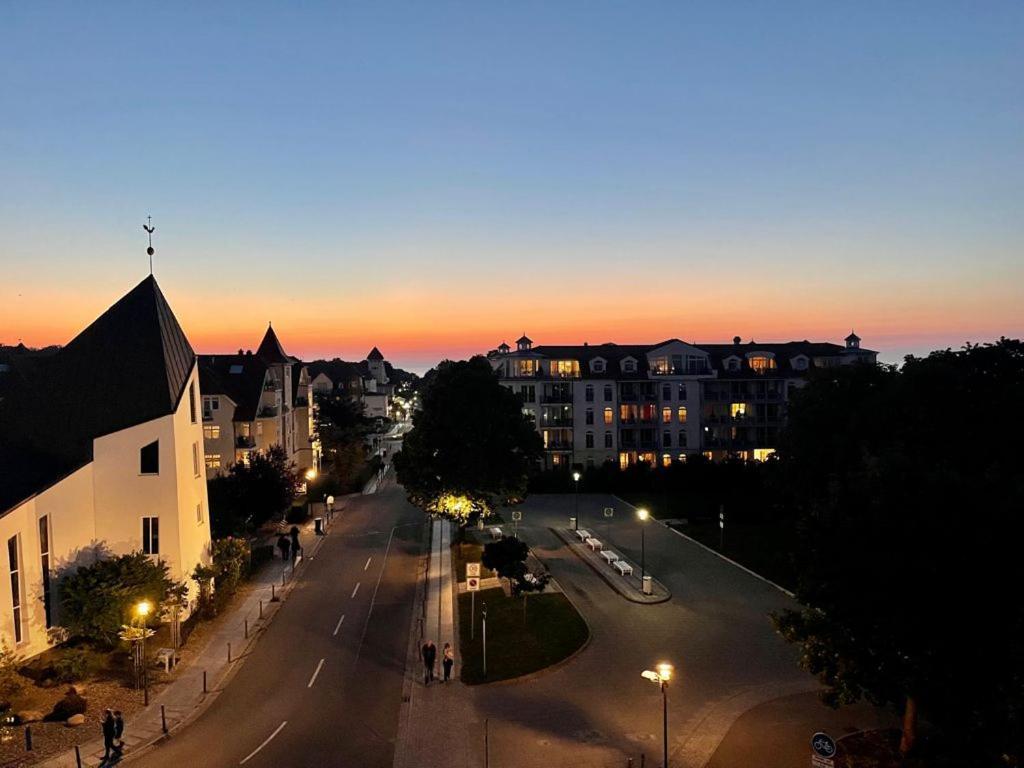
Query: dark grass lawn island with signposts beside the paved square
[[553, 631]]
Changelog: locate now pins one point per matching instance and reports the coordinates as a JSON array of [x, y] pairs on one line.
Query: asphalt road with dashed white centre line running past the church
[[323, 687]]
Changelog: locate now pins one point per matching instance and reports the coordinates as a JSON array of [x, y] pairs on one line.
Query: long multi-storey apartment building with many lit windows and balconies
[[661, 403]]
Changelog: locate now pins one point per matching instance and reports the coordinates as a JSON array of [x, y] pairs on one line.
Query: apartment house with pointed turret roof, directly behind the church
[[253, 401]]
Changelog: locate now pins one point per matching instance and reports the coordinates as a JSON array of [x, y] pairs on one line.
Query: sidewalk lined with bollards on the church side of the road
[[184, 698]]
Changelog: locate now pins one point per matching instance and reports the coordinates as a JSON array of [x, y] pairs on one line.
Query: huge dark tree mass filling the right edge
[[910, 488]]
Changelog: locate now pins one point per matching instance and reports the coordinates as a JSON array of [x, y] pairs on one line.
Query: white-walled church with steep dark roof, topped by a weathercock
[[102, 455]]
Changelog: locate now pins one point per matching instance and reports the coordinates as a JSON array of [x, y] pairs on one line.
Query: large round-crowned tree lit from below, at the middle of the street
[[471, 441]]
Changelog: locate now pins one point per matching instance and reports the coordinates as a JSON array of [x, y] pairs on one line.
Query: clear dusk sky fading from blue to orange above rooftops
[[435, 179]]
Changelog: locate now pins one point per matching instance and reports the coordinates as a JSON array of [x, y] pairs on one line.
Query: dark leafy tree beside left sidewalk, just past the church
[[249, 496]]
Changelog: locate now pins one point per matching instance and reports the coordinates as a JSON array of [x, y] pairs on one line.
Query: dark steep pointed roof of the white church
[[131, 366]]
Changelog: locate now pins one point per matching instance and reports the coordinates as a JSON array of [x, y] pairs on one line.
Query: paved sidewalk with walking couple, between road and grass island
[[436, 726]]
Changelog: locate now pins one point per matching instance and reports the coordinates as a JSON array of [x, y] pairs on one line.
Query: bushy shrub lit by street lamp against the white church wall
[[97, 601]]
